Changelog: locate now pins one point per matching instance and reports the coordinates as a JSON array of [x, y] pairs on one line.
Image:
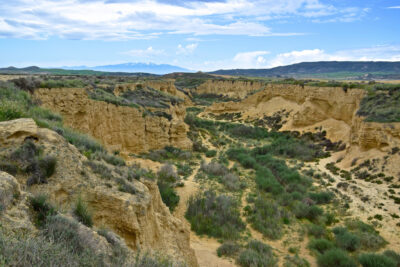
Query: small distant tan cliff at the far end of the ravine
[[234, 89]]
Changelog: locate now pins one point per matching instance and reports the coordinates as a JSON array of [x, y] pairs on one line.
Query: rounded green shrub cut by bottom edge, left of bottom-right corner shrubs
[[335, 258]]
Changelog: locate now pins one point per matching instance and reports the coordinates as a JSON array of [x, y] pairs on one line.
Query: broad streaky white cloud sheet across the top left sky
[[145, 19]]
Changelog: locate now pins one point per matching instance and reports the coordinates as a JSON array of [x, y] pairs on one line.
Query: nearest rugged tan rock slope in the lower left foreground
[[140, 218]]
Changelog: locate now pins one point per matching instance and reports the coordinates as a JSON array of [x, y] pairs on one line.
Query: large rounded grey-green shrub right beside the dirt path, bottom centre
[[216, 216]]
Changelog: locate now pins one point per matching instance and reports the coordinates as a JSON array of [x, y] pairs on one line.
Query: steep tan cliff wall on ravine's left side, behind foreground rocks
[[120, 128]]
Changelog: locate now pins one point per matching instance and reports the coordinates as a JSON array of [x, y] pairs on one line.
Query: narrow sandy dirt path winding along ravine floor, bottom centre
[[205, 248]]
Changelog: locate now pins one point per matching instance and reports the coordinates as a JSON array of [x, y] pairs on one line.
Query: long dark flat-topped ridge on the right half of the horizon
[[333, 69]]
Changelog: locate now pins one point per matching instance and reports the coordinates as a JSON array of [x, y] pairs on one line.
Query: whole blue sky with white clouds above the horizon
[[197, 34]]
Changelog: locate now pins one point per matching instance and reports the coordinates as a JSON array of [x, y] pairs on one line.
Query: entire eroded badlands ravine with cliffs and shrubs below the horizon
[[198, 170]]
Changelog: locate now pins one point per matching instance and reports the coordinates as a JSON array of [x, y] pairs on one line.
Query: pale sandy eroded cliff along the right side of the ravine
[[331, 108]]
